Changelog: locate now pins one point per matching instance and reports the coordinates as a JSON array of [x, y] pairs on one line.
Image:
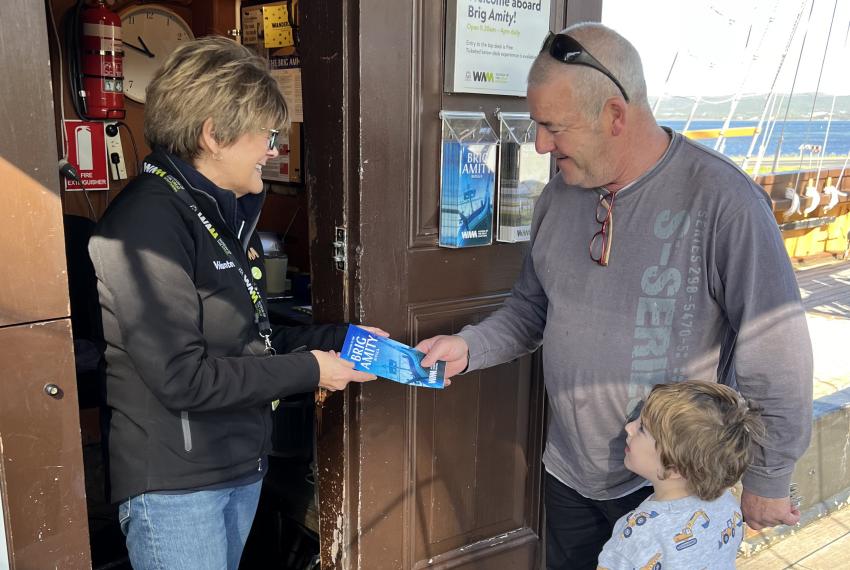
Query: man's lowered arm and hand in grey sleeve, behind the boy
[[773, 356]]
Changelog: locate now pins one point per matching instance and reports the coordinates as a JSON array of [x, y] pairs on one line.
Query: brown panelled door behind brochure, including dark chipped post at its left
[[411, 478]]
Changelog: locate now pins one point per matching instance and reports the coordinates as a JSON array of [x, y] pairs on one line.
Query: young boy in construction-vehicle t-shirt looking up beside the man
[[692, 442]]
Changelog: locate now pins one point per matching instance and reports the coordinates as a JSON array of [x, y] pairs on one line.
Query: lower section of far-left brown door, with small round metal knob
[[40, 448]]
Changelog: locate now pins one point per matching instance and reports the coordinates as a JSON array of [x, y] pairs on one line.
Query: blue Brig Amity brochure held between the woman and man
[[389, 359]]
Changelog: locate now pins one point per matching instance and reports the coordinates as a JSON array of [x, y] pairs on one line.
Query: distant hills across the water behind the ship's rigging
[[751, 107]]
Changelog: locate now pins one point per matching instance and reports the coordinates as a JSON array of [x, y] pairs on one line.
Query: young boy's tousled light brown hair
[[704, 431]]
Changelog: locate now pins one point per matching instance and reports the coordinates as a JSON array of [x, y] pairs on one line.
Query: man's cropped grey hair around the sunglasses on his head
[[591, 87]]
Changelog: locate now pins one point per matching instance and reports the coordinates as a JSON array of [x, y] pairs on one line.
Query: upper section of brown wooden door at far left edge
[[34, 286]]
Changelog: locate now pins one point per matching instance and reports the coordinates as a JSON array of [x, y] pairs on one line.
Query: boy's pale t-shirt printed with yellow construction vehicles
[[686, 533]]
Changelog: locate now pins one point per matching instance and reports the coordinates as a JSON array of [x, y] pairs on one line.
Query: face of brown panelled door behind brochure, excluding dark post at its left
[[445, 479]]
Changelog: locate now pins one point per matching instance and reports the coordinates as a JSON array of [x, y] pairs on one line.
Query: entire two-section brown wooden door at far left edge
[[41, 468]]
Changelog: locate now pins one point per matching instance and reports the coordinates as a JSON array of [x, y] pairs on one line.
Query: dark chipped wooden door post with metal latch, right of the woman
[[331, 92]]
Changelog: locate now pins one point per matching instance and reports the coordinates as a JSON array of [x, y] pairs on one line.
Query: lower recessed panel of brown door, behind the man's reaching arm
[[475, 444]]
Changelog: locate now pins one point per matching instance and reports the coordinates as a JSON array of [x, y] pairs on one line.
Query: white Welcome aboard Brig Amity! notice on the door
[[491, 44]]
